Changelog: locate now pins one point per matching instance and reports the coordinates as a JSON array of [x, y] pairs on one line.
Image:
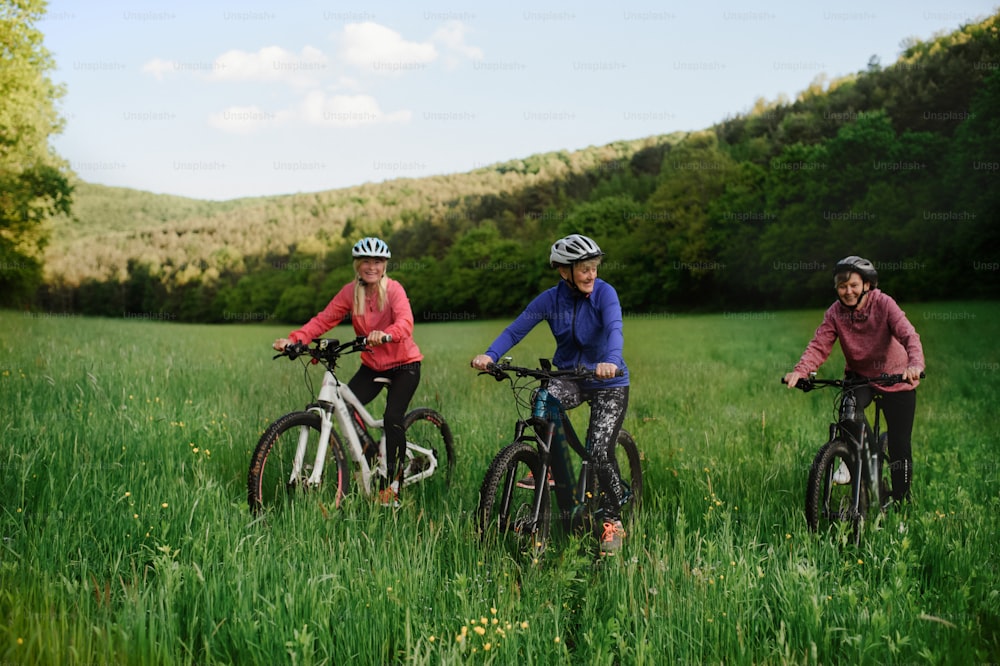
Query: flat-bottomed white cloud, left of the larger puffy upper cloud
[[272, 64]]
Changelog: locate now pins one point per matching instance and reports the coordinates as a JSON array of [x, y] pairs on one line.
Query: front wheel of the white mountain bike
[[284, 460]]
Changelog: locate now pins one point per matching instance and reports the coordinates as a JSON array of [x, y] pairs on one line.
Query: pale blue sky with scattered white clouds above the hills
[[233, 99]]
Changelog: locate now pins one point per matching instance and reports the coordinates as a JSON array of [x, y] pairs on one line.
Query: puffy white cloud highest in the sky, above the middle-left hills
[[383, 50]]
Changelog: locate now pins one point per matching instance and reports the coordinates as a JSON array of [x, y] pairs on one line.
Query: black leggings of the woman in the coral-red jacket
[[405, 379]]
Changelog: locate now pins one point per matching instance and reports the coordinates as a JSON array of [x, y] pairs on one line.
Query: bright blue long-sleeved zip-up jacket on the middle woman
[[587, 329]]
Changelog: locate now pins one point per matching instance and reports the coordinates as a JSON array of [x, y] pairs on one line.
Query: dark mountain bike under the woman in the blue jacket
[[515, 504]]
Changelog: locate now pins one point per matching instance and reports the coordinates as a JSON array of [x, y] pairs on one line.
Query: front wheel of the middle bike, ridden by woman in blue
[[506, 509]]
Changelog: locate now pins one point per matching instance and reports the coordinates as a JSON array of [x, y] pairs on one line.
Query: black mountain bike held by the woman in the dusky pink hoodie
[[846, 477]]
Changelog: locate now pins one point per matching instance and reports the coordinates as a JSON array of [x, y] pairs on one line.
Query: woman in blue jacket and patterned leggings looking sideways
[[585, 317]]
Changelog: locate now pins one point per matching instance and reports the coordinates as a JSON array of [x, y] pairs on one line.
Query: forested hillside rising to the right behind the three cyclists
[[898, 162]]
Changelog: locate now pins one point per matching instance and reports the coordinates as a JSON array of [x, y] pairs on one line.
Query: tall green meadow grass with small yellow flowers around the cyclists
[[126, 536]]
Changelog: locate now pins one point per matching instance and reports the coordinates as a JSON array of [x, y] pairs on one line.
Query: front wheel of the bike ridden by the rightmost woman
[[830, 495]]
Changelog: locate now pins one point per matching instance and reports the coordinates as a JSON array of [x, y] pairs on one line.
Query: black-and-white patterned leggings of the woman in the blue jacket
[[607, 412]]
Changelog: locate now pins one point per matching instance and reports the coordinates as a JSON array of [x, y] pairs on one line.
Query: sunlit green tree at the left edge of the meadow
[[34, 182]]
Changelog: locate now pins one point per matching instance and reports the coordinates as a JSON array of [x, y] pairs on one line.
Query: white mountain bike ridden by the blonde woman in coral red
[[294, 451]]
